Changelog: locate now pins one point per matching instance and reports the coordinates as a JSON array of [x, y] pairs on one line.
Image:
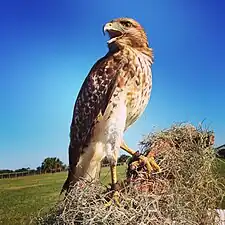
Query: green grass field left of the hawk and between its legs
[[23, 198]]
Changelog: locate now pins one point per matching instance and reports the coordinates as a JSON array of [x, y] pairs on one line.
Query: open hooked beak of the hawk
[[114, 30]]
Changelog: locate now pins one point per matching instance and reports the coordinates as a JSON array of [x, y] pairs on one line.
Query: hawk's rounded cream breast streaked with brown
[[138, 87]]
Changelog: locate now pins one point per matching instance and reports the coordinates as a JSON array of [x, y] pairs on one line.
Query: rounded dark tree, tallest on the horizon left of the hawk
[[52, 164]]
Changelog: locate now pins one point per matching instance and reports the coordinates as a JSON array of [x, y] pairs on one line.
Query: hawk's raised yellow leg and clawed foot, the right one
[[149, 161]]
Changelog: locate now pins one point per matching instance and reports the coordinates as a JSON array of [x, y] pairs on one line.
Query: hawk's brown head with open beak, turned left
[[126, 31]]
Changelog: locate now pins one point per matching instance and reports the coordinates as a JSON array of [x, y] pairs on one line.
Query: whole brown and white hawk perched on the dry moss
[[113, 96]]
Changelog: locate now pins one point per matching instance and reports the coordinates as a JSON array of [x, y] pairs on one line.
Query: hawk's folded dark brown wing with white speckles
[[92, 99]]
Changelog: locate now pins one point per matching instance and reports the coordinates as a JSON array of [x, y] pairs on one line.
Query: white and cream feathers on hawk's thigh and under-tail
[[106, 139]]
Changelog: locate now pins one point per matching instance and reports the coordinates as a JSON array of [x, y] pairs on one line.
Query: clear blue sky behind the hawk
[[48, 47]]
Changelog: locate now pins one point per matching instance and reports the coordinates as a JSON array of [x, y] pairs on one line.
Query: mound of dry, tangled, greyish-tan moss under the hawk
[[185, 192]]
